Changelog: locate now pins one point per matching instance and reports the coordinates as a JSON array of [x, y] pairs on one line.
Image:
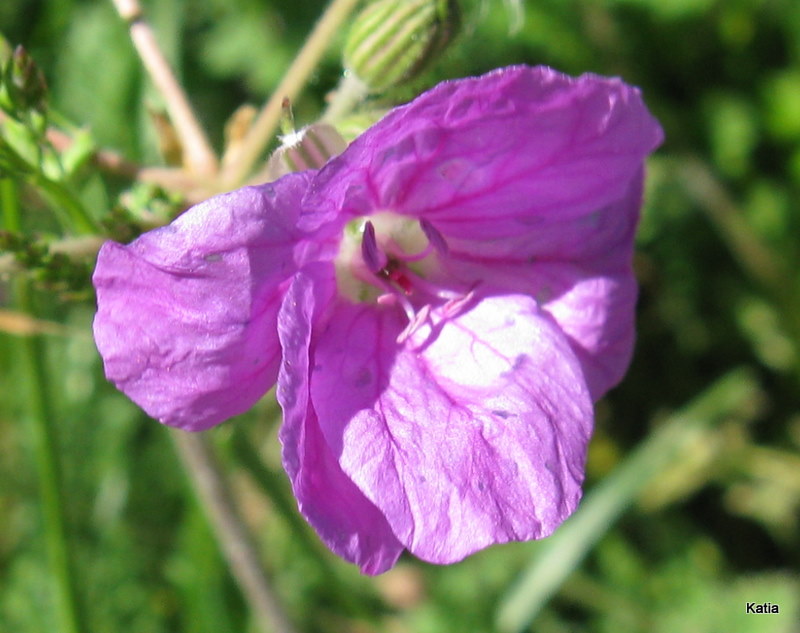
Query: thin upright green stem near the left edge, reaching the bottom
[[43, 431]]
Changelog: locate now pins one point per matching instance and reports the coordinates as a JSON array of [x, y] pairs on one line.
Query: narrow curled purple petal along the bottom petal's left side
[[344, 518]]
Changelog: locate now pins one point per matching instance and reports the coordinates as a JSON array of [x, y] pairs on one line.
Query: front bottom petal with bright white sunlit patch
[[472, 433]]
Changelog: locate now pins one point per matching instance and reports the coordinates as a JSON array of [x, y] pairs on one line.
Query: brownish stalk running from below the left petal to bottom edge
[[233, 536]]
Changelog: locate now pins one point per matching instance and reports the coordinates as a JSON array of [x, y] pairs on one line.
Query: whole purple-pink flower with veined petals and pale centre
[[440, 305]]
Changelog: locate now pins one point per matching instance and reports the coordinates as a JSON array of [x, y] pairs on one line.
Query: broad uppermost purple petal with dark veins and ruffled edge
[[492, 157]]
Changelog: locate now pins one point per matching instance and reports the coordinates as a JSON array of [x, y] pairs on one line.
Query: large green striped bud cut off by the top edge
[[392, 41]]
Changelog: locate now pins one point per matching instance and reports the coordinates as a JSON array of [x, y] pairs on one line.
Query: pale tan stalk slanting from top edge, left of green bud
[[294, 80]]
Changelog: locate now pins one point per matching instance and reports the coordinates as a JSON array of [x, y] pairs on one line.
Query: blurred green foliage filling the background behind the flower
[[718, 260]]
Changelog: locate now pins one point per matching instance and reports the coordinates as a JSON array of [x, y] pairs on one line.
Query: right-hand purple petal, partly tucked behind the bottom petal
[[578, 271]]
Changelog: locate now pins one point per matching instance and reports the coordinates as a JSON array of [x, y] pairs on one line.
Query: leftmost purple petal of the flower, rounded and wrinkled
[[186, 320]]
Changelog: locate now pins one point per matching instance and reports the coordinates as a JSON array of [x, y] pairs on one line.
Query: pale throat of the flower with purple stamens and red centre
[[386, 258]]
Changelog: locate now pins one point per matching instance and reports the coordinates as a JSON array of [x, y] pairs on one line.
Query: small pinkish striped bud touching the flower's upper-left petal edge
[[310, 148]]
